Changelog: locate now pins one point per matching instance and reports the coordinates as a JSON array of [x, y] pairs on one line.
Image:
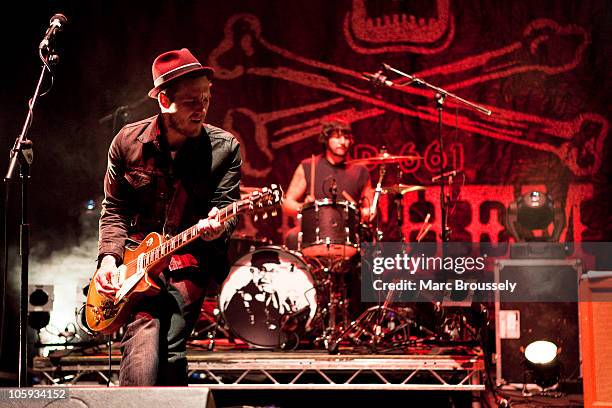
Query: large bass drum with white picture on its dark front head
[[266, 292]]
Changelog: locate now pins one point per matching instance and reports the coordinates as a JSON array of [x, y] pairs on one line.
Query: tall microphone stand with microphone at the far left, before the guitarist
[[23, 153]]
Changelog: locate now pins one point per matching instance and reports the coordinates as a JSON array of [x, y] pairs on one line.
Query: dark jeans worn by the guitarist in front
[[154, 346]]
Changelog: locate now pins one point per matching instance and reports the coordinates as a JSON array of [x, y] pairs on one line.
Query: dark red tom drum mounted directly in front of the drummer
[[329, 229]]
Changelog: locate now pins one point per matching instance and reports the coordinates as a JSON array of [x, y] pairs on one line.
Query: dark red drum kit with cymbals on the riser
[[276, 298]]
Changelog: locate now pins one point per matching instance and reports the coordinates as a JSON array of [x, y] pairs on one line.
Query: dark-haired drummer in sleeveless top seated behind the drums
[[334, 179]]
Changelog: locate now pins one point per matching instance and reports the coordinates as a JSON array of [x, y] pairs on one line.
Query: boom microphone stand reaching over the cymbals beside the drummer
[[439, 98]]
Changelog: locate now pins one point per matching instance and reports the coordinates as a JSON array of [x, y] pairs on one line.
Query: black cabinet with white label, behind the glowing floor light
[[518, 323]]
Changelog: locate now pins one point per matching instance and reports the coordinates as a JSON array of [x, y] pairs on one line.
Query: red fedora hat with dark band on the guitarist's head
[[171, 65]]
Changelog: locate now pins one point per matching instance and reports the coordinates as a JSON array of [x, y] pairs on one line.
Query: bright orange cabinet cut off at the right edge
[[596, 338]]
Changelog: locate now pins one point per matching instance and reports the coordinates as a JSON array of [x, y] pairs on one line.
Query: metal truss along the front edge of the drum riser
[[294, 370]]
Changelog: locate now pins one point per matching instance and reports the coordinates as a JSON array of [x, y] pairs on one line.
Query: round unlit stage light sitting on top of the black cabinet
[[530, 216]]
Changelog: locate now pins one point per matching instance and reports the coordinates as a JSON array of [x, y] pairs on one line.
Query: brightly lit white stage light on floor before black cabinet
[[542, 364]]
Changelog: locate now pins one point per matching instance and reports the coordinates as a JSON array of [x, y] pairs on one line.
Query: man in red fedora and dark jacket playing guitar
[[165, 173]]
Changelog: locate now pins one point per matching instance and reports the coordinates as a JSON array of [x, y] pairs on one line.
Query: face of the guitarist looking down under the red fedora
[[187, 104]]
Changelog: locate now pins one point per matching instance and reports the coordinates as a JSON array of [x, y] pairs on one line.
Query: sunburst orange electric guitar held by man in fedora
[[146, 262]]
